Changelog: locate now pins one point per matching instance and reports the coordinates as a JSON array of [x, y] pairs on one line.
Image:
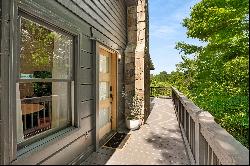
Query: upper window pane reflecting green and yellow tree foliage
[[44, 53]]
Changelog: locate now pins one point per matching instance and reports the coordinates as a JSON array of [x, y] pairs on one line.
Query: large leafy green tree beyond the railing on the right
[[217, 77]]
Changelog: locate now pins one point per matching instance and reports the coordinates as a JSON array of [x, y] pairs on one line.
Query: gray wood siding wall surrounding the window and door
[[91, 20]]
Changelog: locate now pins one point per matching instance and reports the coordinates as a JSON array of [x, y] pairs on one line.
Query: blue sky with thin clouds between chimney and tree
[[165, 29]]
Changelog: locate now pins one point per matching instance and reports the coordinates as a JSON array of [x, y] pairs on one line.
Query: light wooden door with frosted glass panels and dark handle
[[107, 89]]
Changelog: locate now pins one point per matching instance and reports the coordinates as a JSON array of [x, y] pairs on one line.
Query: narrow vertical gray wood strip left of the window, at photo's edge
[[5, 97]]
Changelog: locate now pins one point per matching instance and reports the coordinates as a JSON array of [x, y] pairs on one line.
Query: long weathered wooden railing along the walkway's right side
[[206, 141]]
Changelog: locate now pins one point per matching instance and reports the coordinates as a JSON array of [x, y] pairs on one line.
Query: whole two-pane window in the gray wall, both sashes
[[45, 80]]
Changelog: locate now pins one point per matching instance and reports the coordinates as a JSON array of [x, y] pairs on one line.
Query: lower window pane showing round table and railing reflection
[[42, 106]]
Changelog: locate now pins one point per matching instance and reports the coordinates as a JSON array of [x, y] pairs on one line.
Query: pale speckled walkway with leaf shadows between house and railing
[[158, 142]]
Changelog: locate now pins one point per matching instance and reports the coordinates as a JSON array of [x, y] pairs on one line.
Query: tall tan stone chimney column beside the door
[[137, 69]]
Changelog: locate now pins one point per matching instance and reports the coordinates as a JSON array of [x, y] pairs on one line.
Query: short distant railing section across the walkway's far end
[[160, 91]]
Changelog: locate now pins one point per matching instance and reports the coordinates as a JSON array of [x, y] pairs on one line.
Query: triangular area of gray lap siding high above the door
[[104, 15]]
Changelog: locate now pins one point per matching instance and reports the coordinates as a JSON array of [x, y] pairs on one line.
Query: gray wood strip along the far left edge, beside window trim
[[4, 50]]
